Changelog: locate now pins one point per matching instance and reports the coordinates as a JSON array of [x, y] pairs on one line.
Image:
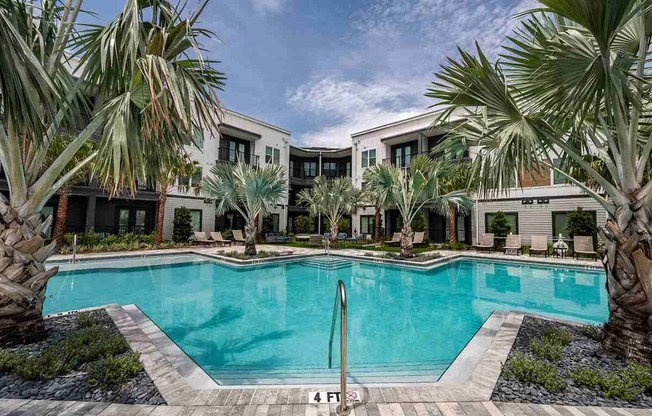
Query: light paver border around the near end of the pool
[[169, 368]]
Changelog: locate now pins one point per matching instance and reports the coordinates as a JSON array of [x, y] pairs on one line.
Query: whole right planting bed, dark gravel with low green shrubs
[[556, 363]]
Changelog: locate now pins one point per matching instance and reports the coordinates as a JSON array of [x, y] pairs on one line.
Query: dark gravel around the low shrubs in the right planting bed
[[581, 352]]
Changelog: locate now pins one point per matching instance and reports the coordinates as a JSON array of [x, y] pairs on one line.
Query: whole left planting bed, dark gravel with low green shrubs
[[83, 357]]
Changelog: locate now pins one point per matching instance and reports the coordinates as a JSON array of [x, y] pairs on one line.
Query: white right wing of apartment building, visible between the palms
[[539, 203]]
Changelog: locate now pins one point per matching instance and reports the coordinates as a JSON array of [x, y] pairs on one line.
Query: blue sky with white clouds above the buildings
[[324, 69]]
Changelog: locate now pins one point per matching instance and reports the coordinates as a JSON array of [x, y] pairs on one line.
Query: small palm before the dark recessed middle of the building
[[332, 198]]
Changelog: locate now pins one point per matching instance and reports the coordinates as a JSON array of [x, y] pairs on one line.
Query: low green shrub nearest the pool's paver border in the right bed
[[531, 370]]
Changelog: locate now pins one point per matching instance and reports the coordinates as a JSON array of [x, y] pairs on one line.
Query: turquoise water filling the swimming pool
[[270, 324]]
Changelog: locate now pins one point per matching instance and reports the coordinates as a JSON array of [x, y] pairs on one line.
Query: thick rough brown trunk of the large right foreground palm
[[628, 263]]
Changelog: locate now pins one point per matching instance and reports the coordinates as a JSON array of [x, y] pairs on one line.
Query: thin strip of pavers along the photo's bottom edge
[[486, 408]]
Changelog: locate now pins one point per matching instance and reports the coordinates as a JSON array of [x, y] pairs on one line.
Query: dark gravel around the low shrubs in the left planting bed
[[74, 385]]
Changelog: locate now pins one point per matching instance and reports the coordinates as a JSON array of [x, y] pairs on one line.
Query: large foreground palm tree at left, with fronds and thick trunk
[[145, 74]]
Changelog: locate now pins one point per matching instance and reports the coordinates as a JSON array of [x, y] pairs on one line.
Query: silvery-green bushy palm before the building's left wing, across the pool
[[247, 189]]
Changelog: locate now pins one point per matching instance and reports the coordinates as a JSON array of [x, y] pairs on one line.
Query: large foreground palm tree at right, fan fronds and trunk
[[573, 85]]
